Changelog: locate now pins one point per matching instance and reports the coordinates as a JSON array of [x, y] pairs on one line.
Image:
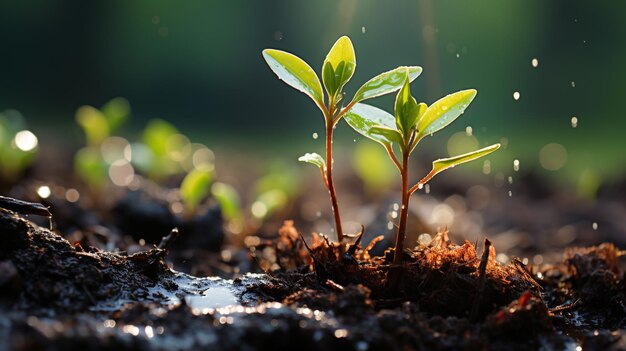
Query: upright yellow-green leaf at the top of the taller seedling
[[338, 66]]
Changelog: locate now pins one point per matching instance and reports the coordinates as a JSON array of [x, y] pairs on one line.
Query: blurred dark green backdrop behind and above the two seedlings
[[198, 64]]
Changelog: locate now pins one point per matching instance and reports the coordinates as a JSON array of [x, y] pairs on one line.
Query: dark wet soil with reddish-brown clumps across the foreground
[[55, 295]]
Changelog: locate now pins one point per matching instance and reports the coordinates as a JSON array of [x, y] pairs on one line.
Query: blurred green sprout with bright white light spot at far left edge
[[18, 146]]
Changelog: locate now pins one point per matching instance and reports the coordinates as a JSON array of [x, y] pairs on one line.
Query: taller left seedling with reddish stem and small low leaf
[[337, 70]]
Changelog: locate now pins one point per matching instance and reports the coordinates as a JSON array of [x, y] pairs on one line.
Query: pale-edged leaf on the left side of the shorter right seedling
[[362, 118]]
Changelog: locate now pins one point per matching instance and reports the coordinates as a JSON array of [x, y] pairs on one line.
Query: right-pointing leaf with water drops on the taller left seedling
[[386, 83]]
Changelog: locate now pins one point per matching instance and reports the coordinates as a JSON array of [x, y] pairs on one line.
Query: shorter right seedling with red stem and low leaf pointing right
[[411, 123]]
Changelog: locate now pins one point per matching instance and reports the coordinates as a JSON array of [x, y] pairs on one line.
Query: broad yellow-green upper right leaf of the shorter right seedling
[[444, 111]]
